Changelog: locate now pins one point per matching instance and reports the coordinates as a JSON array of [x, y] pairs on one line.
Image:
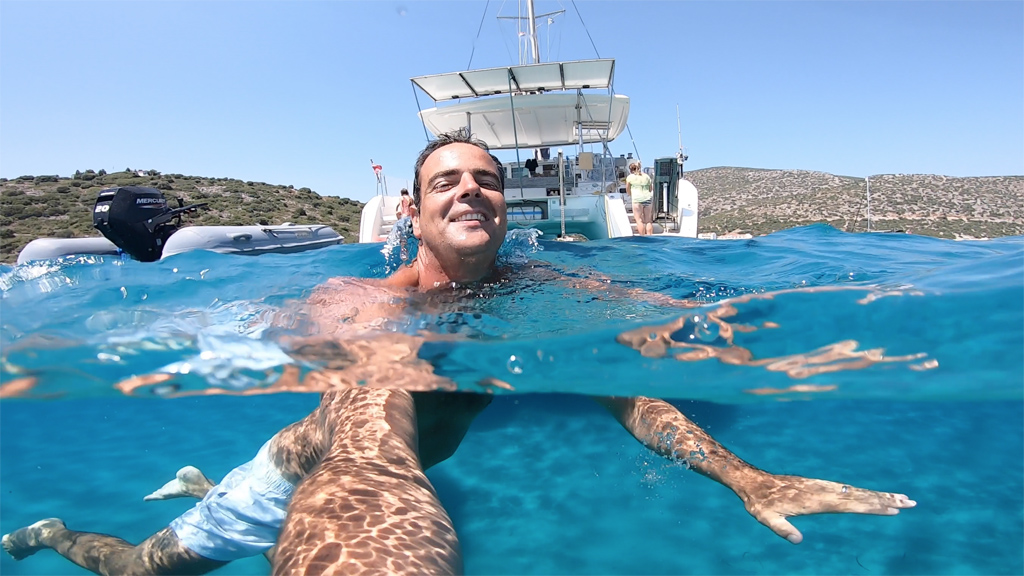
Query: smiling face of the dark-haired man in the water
[[462, 208]]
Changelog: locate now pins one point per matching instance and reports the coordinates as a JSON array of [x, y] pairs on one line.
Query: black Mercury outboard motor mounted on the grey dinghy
[[138, 220]]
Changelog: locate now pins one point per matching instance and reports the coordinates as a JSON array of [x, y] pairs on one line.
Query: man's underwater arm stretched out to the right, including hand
[[770, 499]]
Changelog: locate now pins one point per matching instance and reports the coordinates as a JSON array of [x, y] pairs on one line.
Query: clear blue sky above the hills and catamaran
[[306, 94]]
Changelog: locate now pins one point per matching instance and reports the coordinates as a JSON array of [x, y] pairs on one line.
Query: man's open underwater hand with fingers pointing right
[[774, 499]]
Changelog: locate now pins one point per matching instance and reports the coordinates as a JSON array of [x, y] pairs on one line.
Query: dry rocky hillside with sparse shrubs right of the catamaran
[[748, 200]]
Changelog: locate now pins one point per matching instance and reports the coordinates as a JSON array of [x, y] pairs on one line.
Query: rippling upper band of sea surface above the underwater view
[[806, 313]]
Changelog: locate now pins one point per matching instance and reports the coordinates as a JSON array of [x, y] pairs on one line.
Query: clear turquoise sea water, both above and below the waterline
[[545, 482]]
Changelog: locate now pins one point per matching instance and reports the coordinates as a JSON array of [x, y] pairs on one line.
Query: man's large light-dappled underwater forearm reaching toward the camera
[[369, 506]]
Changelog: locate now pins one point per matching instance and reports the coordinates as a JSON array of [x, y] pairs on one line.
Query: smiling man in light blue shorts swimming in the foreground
[[352, 474]]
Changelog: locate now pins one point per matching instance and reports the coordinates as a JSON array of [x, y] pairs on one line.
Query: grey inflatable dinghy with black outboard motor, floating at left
[[138, 222]]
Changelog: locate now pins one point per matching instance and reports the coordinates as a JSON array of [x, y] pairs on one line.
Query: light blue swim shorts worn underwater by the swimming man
[[242, 516]]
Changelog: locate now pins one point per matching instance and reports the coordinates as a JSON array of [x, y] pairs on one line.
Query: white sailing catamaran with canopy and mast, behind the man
[[543, 108]]
